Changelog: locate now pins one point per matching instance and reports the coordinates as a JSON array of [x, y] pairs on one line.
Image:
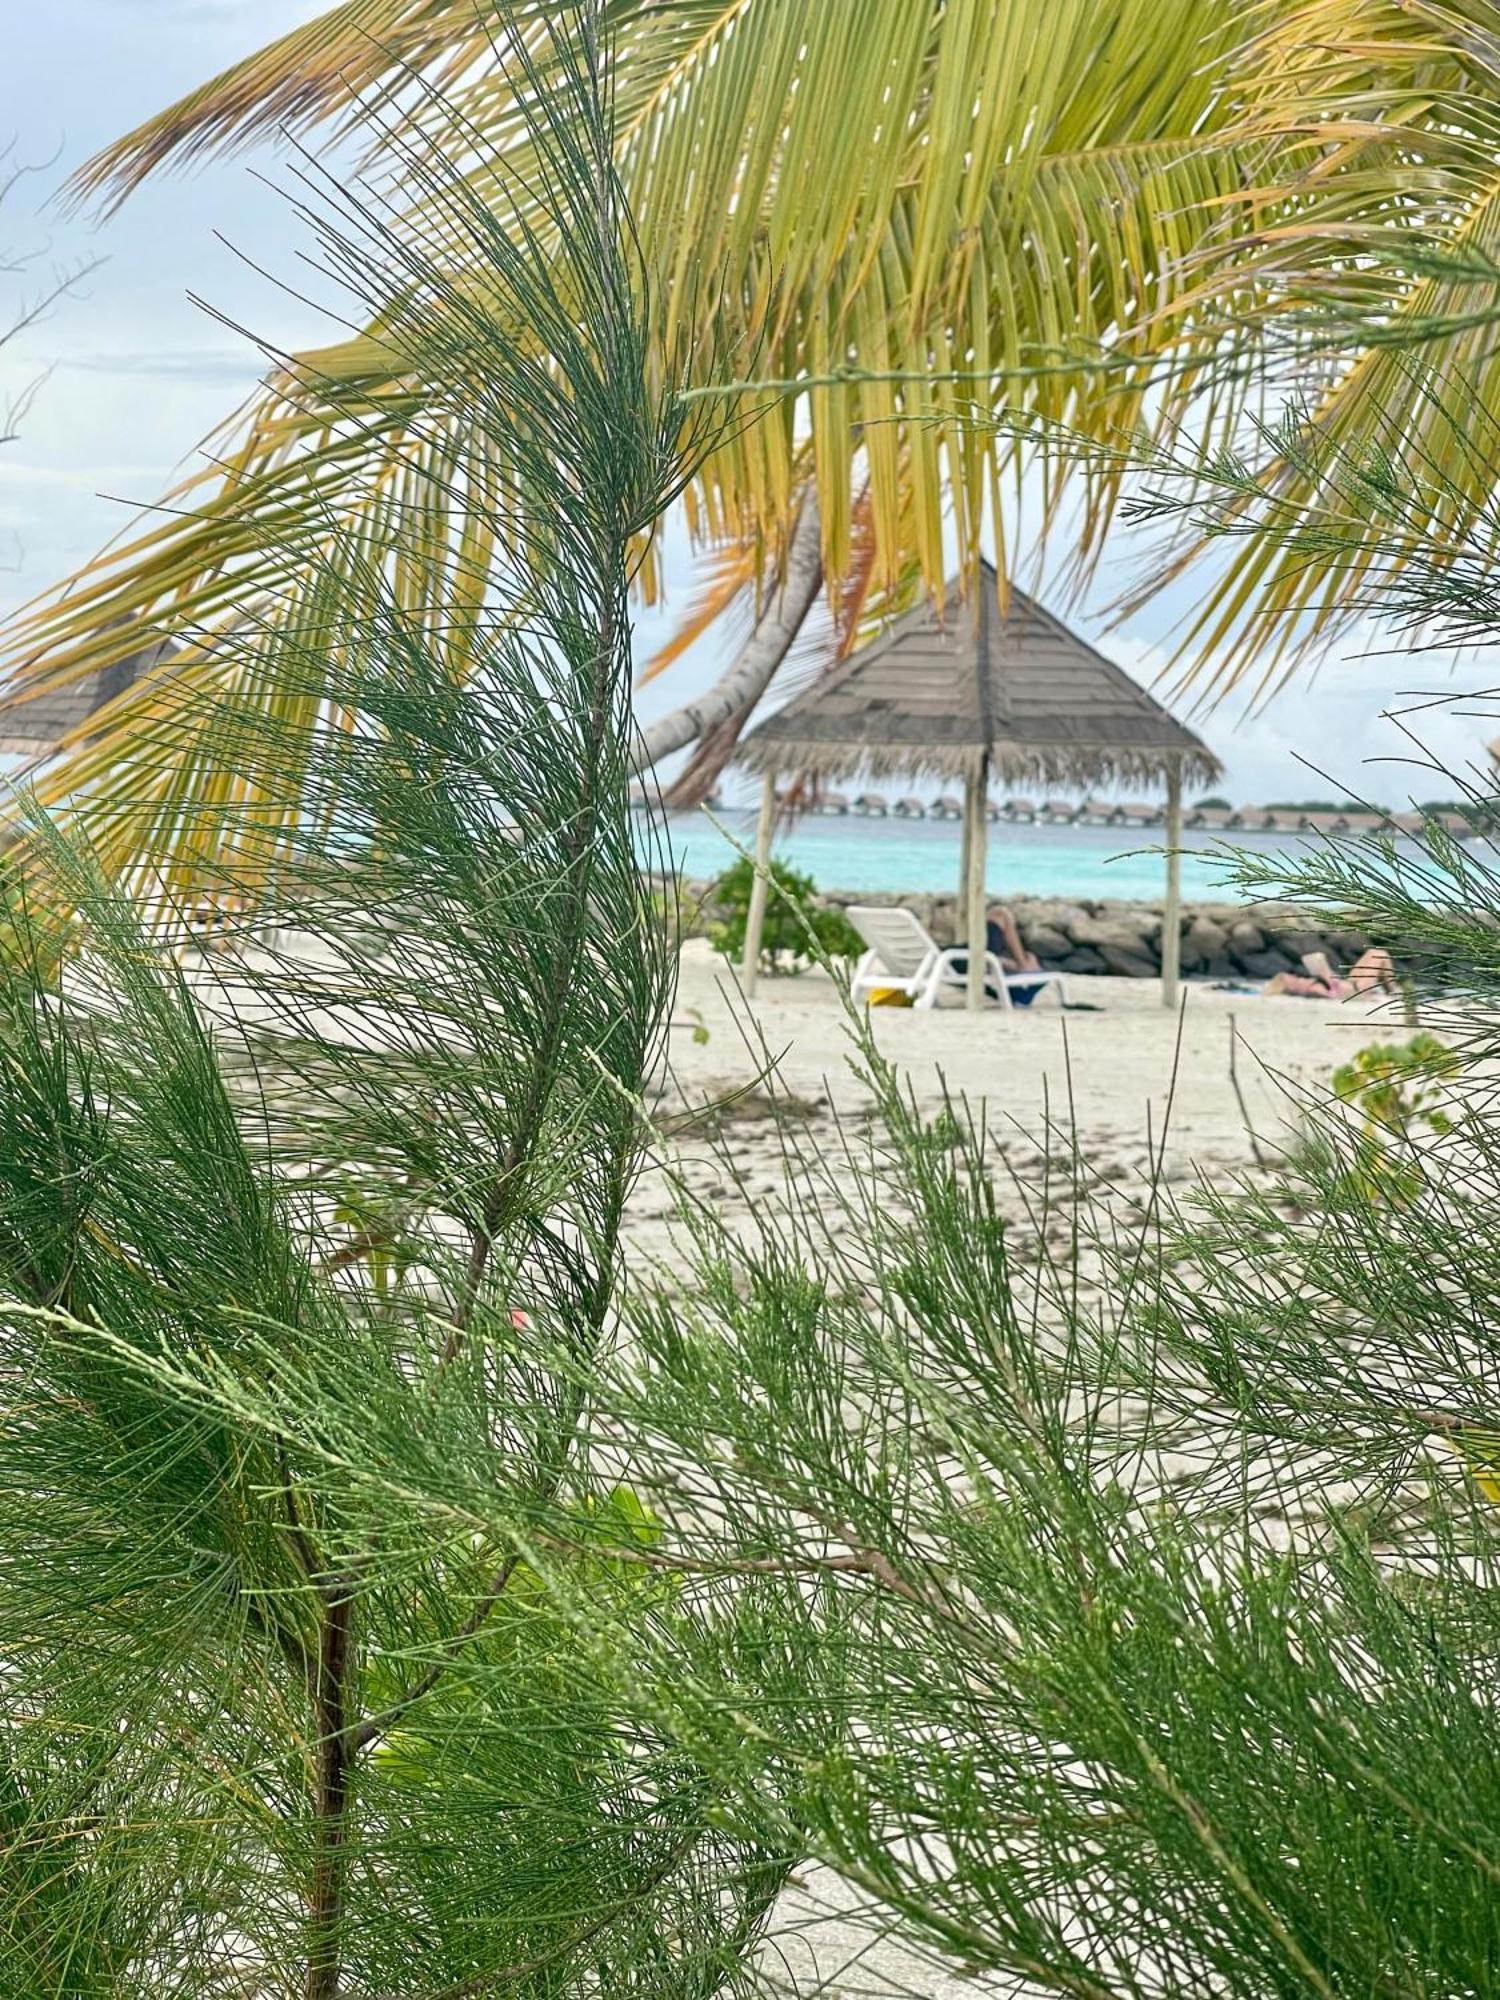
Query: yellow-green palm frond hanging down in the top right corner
[[1395, 287]]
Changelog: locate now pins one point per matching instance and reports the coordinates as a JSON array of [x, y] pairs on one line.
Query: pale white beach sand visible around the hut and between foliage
[[1129, 1081]]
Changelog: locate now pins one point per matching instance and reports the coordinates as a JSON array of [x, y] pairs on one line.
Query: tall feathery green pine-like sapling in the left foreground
[[269, 1731]]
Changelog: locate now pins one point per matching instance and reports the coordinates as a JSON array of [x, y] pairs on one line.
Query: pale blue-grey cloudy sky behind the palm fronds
[[127, 377]]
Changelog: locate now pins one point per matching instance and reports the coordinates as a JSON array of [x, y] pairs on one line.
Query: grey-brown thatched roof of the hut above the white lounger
[[945, 685]]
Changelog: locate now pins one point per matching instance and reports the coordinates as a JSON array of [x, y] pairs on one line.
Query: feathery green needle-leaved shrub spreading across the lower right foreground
[[1155, 1545]]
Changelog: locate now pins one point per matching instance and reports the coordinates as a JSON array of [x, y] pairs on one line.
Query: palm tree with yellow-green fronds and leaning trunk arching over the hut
[[893, 215]]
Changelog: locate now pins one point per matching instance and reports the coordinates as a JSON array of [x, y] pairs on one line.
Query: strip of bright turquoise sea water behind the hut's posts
[[921, 857]]
